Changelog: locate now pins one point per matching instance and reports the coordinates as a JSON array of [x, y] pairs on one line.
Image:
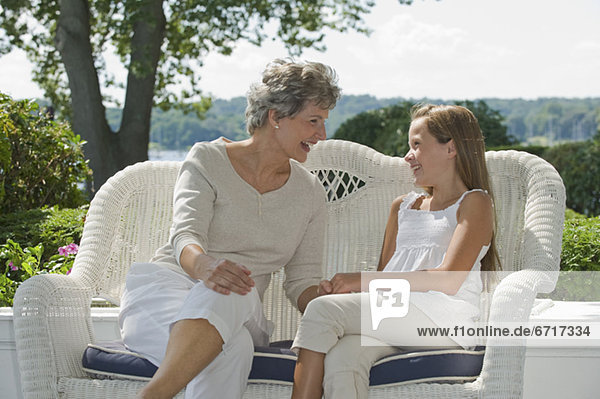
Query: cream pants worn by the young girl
[[331, 324]]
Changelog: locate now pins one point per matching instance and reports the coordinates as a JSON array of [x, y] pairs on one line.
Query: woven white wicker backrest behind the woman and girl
[[130, 216]]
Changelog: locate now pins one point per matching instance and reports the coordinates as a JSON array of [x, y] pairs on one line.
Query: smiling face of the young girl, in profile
[[429, 159]]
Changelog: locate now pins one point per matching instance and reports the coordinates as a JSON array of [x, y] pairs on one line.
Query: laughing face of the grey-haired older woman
[[296, 135]]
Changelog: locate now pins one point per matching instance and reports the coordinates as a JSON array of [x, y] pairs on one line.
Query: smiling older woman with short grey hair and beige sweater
[[241, 211]]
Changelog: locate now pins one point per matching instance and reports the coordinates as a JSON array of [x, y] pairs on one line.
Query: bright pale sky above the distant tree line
[[447, 49]]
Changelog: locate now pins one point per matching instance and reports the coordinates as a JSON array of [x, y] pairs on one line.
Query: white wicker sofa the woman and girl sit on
[[130, 217]]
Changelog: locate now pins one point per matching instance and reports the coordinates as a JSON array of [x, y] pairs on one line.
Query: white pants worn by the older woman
[[156, 297]]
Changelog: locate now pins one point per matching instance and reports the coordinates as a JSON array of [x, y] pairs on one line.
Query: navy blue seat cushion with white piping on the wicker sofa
[[275, 364]]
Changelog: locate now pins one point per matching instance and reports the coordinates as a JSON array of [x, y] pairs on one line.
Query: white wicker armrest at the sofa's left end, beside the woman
[[52, 328]]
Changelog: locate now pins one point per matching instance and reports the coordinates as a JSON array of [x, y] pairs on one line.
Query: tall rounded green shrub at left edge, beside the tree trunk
[[41, 161]]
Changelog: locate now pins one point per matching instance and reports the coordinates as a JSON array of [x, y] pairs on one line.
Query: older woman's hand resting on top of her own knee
[[224, 276]]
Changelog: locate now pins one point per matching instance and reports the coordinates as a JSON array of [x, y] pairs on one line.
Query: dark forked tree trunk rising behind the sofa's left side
[[107, 151]]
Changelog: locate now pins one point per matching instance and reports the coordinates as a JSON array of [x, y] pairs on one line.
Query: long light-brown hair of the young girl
[[453, 122]]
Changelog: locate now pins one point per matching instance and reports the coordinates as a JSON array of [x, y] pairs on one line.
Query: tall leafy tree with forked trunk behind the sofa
[[160, 42]]
